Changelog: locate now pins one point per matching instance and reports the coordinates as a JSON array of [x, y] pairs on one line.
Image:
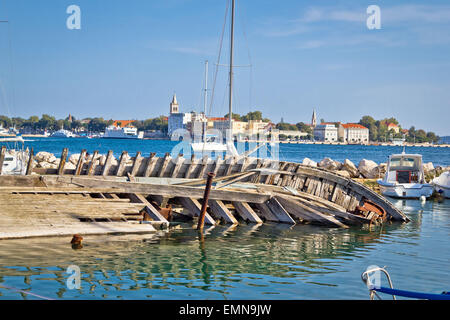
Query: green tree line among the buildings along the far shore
[[378, 129]]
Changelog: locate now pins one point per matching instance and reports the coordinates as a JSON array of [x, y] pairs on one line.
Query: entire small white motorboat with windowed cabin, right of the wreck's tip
[[405, 177]]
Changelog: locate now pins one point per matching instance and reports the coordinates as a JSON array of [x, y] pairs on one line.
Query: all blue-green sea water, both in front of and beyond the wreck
[[271, 261]]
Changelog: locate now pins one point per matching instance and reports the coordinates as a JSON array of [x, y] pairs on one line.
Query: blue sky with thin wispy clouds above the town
[[130, 57]]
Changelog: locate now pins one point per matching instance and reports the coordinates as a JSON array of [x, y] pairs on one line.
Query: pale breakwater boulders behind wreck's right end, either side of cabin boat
[[367, 169]]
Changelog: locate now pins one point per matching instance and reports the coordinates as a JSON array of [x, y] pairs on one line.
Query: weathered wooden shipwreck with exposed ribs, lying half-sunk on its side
[[142, 194]]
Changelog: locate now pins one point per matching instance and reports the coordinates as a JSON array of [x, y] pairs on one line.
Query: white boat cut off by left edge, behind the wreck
[[15, 159]]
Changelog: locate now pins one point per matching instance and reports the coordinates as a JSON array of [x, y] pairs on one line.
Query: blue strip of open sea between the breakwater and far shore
[[287, 152]]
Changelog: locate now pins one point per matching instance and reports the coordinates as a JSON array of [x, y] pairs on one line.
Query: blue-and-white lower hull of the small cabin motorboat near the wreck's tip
[[405, 190]]
